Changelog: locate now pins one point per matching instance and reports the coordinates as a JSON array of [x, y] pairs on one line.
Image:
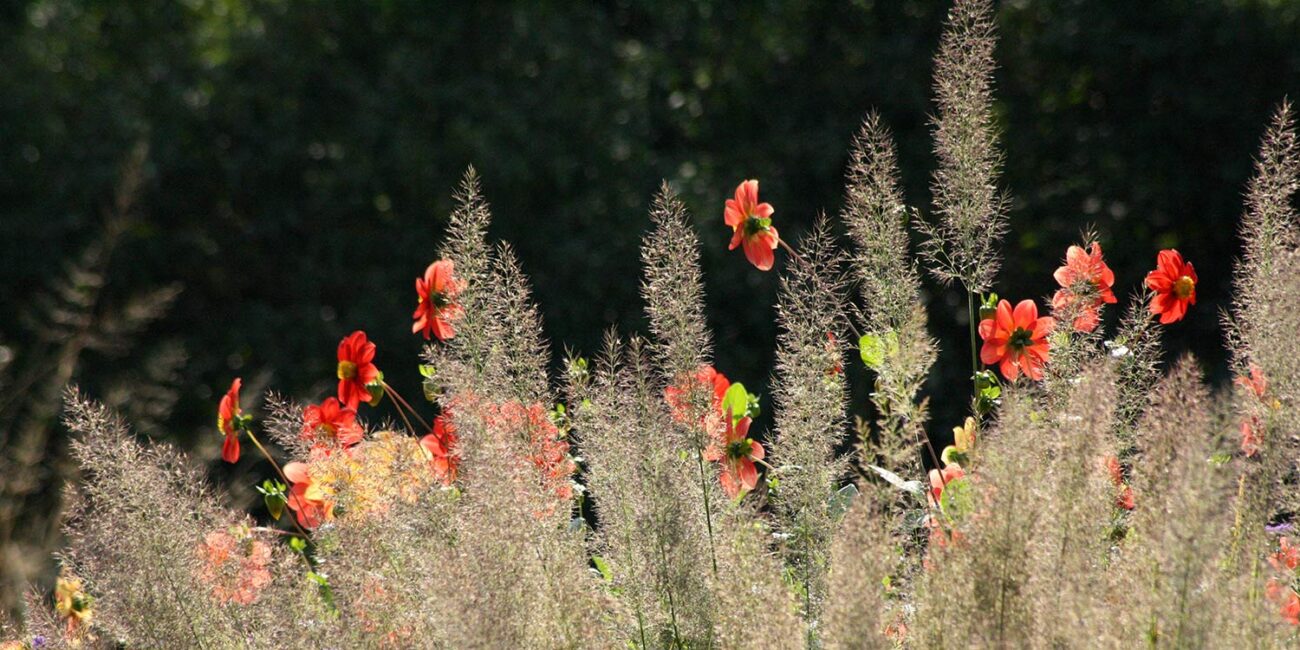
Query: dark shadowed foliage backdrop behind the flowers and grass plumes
[[302, 158]]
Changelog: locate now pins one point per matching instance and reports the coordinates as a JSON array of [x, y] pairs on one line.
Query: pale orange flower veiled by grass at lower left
[[236, 565]]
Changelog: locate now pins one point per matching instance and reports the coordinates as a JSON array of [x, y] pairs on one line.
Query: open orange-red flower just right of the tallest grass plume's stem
[[1017, 341]]
